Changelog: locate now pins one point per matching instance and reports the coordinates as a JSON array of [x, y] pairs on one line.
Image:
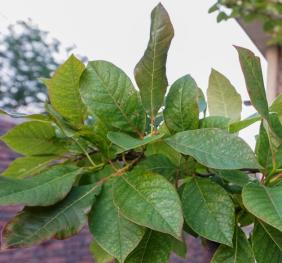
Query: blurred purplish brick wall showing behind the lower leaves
[[72, 250]]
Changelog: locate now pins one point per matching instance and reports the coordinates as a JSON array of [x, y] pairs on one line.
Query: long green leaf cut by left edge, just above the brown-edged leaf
[[42, 190]]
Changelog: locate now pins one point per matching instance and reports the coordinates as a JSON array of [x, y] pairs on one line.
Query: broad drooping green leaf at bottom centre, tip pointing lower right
[[149, 200]]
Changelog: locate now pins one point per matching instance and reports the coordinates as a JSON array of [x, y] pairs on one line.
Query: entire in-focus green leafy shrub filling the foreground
[[143, 169]]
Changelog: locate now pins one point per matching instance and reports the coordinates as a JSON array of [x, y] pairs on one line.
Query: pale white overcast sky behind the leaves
[[118, 31]]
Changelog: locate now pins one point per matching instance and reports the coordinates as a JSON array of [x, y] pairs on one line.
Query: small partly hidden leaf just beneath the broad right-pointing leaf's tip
[[234, 176]]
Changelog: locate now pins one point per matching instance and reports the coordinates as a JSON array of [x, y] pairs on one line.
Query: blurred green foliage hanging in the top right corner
[[269, 13]]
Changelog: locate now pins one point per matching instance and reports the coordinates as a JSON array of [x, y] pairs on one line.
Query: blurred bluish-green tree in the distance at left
[[26, 54]]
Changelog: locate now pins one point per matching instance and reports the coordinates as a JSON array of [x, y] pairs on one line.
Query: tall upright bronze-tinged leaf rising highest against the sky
[[150, 72]]
